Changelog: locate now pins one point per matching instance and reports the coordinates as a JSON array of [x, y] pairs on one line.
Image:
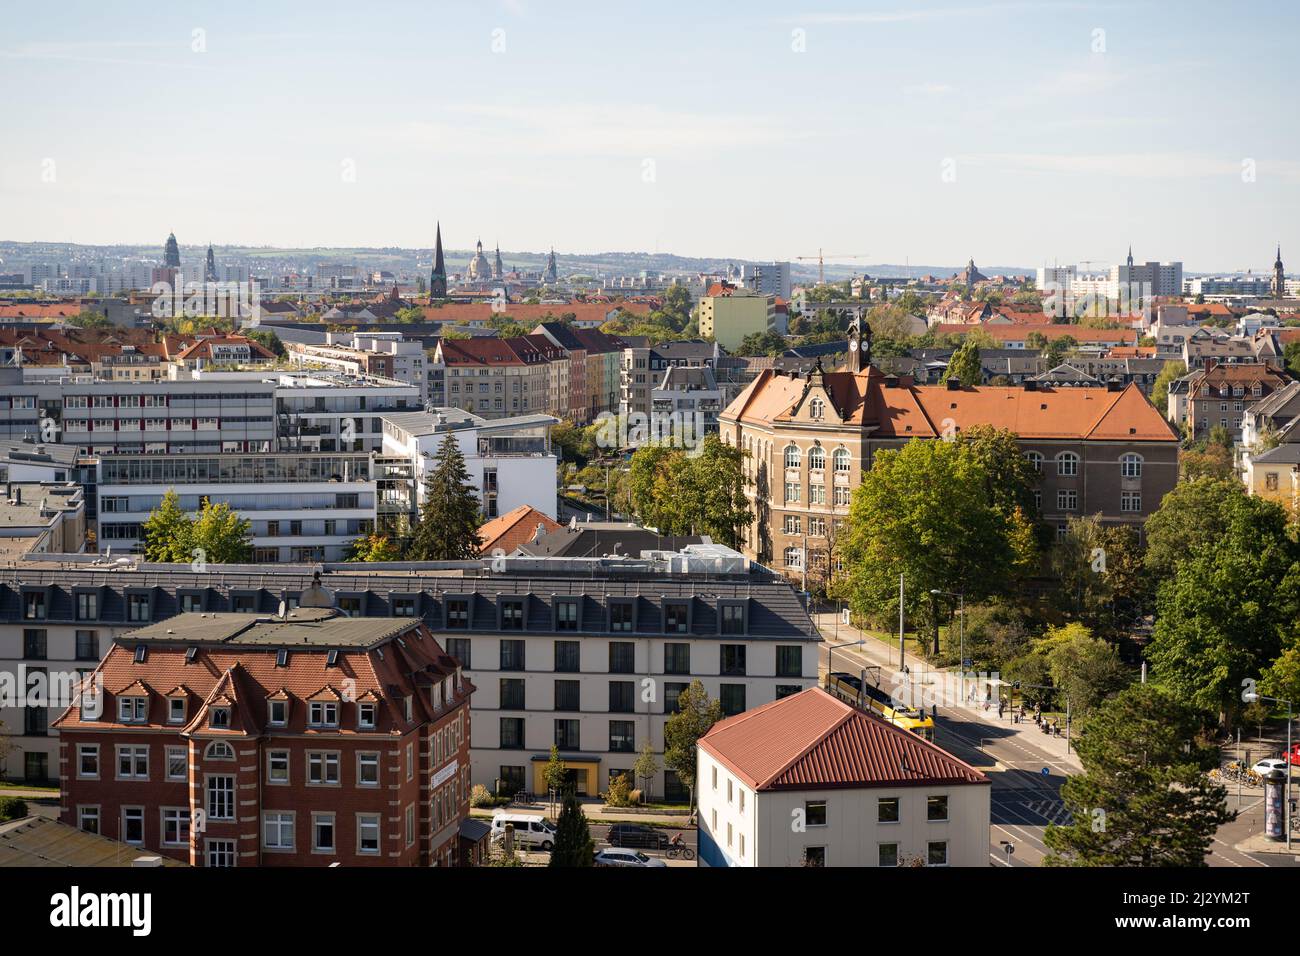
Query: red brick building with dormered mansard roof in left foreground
[[253, 741]]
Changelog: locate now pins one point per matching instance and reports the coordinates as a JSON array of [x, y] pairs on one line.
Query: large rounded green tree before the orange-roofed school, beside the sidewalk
[[928, 511]]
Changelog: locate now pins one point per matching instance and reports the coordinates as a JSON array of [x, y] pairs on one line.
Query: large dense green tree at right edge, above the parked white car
[[1230, 609]]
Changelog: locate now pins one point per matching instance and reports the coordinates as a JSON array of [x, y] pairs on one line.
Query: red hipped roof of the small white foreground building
[[813, 741]]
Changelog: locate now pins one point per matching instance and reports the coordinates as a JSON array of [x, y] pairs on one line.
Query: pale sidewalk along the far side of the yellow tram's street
[[886, 656]]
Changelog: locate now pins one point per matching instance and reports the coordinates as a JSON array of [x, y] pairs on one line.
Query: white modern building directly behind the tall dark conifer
[[510, 461]]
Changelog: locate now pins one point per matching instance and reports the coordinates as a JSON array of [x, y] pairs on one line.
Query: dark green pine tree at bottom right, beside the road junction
[[1143, 798]]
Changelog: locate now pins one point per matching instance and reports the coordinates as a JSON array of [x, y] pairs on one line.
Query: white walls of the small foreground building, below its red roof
[[743, 828]]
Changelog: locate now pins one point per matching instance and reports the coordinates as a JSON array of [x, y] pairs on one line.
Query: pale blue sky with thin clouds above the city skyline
[[926, 133]]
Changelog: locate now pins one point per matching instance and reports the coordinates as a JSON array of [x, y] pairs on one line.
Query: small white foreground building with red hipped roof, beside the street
[[811, 781]]
